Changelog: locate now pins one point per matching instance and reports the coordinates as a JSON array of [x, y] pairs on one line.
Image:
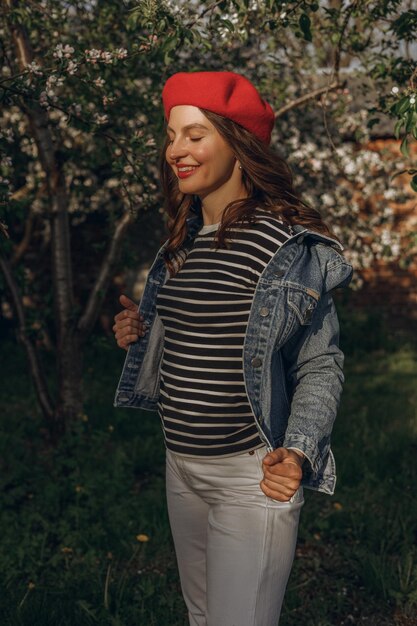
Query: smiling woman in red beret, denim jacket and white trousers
[[235, 343]]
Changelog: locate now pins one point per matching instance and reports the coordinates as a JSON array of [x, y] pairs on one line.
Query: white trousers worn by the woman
[[234, 545]]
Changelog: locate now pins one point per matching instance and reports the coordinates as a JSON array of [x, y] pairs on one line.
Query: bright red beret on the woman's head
[[225, 93]]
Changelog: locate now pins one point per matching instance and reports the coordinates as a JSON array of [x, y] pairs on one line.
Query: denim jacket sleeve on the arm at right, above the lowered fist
[[314, 371]]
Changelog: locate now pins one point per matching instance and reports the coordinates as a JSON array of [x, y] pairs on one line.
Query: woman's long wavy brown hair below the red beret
[[267, 178]]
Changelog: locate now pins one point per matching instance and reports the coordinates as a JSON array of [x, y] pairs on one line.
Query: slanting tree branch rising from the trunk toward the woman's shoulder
[[98, 292]]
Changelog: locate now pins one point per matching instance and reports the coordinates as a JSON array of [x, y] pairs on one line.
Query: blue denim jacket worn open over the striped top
[[293, 366]]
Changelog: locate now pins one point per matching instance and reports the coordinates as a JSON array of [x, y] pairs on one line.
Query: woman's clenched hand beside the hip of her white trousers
[[282, 474]]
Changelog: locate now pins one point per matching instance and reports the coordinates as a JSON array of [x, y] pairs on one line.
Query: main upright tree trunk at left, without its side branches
[[68, 353]]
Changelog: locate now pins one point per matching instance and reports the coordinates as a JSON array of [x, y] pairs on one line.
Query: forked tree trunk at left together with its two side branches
[[72, 328]]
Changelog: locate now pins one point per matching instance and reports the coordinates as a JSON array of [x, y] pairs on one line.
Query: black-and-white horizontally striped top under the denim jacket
[[203, 405]]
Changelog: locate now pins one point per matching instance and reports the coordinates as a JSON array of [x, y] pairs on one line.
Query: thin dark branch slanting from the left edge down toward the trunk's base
[[32, 353]]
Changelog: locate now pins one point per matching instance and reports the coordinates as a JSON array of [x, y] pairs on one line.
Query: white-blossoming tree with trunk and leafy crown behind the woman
[[81, 120]]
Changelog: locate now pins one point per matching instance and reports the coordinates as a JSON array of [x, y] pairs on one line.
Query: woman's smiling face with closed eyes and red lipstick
[[199, 156]]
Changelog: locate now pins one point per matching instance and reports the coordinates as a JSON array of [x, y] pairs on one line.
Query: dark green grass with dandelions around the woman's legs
[[69, 517]]
